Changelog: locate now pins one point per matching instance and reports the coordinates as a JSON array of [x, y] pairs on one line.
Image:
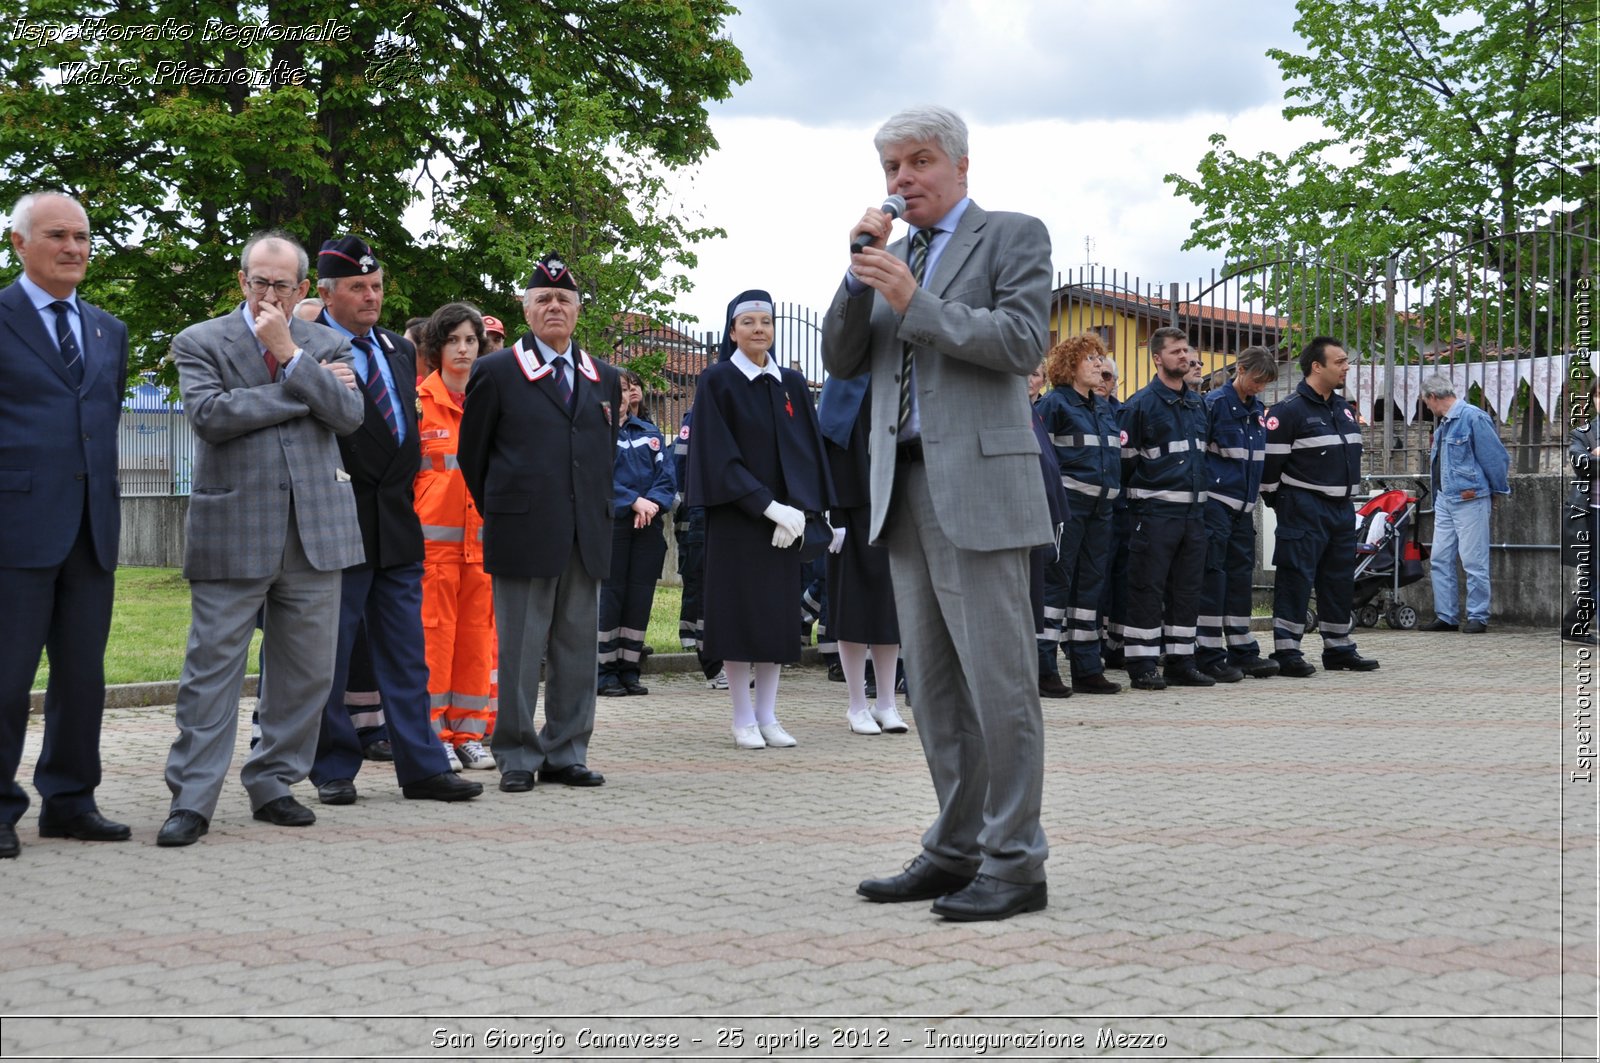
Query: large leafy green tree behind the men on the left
[[524, 127]]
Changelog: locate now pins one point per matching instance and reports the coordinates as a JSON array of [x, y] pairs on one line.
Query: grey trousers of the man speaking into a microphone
[[967, 633]]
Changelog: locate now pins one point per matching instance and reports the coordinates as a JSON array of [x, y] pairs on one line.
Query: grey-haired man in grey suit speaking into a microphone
[[950, 323]]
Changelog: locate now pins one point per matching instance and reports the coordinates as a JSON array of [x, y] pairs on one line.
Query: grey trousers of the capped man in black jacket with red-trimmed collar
[[546, 619]]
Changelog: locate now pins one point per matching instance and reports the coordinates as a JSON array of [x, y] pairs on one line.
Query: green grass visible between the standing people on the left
[[150, 628]]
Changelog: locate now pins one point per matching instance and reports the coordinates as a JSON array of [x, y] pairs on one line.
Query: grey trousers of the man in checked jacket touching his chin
[[302, 638]]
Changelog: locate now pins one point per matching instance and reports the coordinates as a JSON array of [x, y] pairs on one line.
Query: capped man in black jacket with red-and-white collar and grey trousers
[[538, 441]]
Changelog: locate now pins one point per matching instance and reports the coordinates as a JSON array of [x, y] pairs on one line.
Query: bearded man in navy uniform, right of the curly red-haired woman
[[1166, 478]]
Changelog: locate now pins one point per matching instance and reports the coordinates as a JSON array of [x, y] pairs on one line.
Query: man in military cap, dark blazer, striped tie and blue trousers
[[386, 590]]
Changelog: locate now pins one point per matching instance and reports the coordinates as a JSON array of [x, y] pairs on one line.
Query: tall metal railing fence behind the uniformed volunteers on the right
[[1505, 316]]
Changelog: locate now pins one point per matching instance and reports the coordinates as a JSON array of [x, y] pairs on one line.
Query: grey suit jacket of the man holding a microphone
[[980, 327]]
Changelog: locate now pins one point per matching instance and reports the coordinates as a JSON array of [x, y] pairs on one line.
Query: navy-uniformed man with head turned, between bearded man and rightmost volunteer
[[1234, 454]]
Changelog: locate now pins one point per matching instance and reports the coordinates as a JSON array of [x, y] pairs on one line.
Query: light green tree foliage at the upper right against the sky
[[1439, 118]]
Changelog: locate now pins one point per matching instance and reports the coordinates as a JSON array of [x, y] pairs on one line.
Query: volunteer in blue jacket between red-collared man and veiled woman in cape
[[641, 492]]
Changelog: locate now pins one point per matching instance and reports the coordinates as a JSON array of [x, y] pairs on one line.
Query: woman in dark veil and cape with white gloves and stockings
[[758, 468]]
